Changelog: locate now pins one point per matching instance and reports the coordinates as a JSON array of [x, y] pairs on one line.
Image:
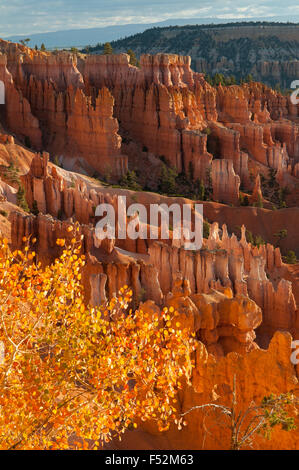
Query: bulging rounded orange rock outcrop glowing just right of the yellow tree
[[223, 323]]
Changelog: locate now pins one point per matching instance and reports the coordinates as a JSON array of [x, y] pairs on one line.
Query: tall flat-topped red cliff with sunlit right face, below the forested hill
[[159, 110]]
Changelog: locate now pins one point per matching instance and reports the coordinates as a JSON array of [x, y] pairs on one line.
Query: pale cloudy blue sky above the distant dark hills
[[38, 16]]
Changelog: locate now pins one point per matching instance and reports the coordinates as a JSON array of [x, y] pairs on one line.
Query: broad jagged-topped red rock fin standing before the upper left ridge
[[79, 126]]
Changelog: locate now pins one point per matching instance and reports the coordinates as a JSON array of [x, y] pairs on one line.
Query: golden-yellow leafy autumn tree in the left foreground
[[75, 376]]
